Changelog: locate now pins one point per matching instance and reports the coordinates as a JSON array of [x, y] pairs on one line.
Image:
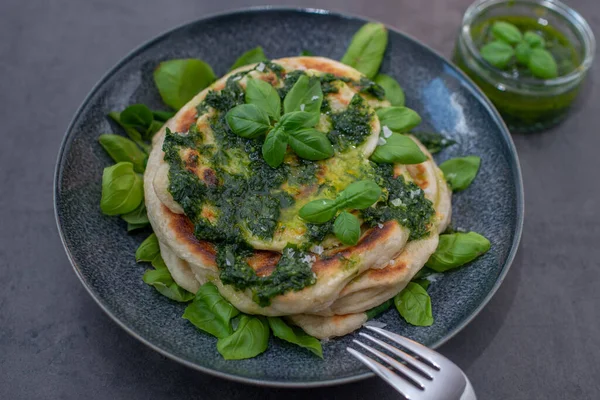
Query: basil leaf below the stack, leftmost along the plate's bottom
[[211, 312]]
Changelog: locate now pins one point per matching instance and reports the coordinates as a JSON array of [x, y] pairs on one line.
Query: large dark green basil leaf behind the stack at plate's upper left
[[178, 81]]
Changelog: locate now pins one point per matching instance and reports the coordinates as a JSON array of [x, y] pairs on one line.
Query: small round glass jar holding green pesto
[[527, 104]]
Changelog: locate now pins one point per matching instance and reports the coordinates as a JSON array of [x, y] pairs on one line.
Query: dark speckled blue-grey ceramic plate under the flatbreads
[[102, 252]]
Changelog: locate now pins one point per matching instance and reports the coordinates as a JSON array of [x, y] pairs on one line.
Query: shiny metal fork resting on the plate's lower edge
[[421, 373]]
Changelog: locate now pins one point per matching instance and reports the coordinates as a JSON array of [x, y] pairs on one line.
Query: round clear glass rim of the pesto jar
[[563, 10]]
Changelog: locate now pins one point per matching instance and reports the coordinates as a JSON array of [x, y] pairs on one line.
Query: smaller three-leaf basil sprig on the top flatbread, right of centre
[[346, 227]]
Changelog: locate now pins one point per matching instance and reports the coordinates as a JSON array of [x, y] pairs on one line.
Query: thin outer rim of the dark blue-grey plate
[[476, 91]]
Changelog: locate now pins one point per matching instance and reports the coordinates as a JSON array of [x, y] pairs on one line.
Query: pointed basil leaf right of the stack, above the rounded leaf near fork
[[456, 249]]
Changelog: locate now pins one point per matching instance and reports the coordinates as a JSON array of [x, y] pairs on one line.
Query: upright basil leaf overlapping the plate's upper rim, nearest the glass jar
[[366, 49]]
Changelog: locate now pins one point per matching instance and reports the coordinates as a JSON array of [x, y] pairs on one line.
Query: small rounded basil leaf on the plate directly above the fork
[[414, 304]]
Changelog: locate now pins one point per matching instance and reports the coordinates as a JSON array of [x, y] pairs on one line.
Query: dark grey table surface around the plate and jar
[[539, 337]]
